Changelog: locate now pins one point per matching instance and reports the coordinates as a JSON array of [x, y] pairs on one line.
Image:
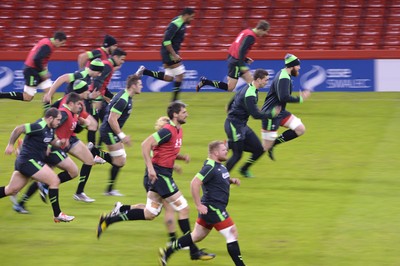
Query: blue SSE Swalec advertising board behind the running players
[[316, 75]]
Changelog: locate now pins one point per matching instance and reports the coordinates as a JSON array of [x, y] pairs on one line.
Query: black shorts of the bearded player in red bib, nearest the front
[[165, 185]]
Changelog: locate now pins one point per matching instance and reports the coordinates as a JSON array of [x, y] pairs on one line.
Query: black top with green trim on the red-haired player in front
[[216, 184]]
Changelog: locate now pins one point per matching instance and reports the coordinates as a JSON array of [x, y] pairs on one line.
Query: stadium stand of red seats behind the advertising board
[[304, 24]]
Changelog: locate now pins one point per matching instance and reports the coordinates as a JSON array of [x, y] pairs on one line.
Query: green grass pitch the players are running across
[[331, 198]]
